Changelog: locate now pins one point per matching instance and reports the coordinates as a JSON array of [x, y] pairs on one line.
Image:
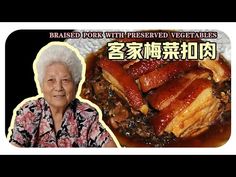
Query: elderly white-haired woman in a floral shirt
[[58, 119]]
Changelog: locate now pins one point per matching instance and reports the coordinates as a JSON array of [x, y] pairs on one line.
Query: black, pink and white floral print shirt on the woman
[[80, 127]]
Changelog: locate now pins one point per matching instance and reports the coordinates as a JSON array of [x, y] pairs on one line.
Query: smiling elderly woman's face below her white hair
[[58, 86]]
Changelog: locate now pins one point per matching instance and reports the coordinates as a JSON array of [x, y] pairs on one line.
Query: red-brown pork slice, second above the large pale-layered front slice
[[162, 75]]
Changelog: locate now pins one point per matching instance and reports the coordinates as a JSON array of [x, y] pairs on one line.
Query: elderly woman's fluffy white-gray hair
[[62, 54]]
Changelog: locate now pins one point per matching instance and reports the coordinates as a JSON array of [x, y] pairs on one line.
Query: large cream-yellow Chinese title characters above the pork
[[161, 50]]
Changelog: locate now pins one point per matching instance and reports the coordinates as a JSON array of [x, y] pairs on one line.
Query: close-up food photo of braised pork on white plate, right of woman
[[161, 88]]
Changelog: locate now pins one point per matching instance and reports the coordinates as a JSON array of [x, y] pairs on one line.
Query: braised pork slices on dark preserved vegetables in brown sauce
[[160, 102]]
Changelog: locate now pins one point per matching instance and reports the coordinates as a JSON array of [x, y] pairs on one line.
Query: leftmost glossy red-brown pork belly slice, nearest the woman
[[123, 84]]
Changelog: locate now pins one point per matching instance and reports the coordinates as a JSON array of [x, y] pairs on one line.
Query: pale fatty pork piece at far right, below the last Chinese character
[[221, 70]]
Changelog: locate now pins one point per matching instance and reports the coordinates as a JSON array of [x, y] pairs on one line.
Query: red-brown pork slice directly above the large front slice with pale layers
[[165, 94]]
